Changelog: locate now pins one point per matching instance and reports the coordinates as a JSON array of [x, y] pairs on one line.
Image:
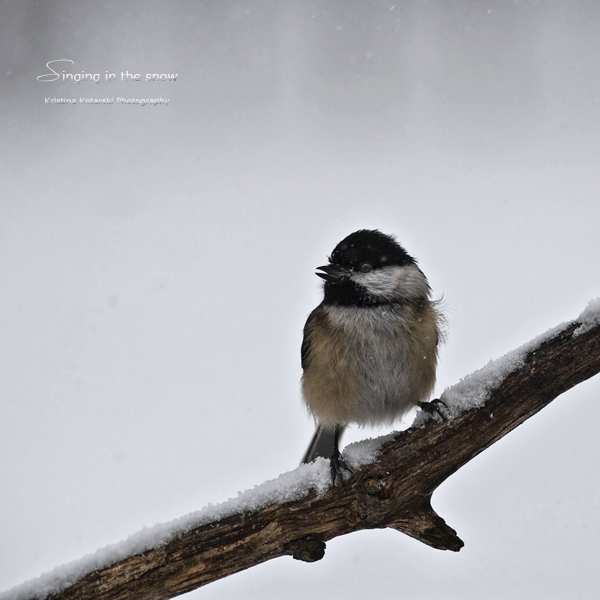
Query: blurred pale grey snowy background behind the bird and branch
[[157, 267]]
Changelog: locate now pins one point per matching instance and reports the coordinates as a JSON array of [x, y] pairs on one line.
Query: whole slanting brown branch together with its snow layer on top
[[295, 514]]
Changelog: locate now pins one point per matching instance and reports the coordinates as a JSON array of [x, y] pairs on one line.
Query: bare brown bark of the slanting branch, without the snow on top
[[394, 491]]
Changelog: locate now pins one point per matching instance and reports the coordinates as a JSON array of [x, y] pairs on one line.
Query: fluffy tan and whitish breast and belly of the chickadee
[[369, 365]]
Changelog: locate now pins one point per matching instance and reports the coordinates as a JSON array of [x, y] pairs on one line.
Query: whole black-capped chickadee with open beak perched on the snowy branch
[[369, 352]]
